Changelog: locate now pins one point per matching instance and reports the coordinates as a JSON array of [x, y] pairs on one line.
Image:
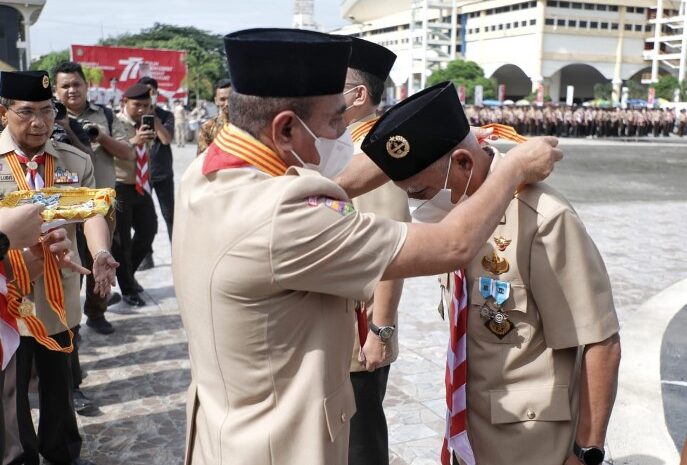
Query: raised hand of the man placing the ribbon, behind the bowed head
[[533, 160]]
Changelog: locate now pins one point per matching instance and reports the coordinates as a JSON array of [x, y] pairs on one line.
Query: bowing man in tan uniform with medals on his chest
[[542, 333]]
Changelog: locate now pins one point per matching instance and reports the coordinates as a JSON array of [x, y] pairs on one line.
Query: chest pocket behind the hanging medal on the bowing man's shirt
[[515, 308]]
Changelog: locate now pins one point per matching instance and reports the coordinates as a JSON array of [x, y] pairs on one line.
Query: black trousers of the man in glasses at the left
[[58, 437]]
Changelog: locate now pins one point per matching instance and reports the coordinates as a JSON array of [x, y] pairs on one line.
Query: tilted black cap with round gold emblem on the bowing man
[[417, 132]]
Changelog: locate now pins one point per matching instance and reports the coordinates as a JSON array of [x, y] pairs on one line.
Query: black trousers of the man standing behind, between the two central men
[[369, 443]]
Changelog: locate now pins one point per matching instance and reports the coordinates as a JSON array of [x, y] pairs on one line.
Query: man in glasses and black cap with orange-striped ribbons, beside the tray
[[30, 160]]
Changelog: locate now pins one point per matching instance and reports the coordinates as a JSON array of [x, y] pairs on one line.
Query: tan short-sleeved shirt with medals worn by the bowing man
[[522, 388]]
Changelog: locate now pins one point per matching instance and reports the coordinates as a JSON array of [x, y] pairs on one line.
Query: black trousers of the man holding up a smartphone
[[138, 212]]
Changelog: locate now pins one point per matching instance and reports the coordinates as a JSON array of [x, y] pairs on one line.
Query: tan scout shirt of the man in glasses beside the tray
[[73, 168]]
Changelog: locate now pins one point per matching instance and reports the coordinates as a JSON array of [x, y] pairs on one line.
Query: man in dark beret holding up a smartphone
[[136, 209]]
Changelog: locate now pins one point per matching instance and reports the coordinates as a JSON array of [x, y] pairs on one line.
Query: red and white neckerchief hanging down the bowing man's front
[[456, 437]]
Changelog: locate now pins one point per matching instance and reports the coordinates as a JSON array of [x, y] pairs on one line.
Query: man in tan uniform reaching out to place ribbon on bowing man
[[268, 260]]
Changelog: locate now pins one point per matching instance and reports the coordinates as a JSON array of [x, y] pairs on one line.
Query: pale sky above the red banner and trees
[[66, 22]]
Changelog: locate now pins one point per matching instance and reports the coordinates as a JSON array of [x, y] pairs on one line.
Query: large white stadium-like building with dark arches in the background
[[521, 44]]
